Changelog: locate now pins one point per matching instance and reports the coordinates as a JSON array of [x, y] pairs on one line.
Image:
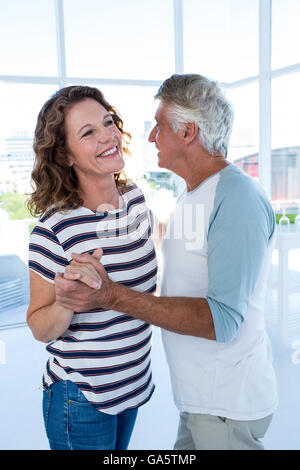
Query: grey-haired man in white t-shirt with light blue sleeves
[[216, 256]]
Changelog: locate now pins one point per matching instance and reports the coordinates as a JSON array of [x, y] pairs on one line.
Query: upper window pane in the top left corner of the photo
[[27, 38]]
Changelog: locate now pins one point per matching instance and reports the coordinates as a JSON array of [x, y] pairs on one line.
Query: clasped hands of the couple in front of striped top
[[85, 284]]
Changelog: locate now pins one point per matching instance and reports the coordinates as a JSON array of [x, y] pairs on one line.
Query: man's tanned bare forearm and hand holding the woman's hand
[[183, 315]]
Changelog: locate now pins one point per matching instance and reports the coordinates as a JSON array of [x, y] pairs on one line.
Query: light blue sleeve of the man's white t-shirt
[[241, 225]]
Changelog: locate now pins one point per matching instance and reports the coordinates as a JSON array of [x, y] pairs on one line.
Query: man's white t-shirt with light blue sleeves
[[218, 246]]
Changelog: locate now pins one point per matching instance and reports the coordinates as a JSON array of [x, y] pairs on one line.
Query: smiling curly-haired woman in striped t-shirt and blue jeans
[[98, 373]]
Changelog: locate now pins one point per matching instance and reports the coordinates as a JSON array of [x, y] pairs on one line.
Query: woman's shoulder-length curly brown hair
[[55, 182]]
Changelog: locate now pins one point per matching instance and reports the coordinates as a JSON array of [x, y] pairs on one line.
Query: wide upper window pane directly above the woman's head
[[119, 39]]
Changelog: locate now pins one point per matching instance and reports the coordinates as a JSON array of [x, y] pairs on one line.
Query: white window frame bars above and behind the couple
[[264, 78]]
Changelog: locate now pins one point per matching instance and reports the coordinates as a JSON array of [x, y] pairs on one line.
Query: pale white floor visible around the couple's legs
[[21, 424]]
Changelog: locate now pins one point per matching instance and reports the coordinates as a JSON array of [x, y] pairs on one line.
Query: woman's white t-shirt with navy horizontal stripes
[[106, 353]]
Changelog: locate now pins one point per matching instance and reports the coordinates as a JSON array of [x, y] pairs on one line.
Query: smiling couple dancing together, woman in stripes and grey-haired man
[[93, 274]]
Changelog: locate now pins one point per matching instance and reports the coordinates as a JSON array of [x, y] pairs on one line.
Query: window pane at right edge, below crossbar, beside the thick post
[[286, 139]]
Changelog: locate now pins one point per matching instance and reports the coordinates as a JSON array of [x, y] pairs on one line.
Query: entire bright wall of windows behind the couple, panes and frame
[[127, 48]]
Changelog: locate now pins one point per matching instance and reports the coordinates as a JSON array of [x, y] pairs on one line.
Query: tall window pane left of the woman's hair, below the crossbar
[[20, 105]]
